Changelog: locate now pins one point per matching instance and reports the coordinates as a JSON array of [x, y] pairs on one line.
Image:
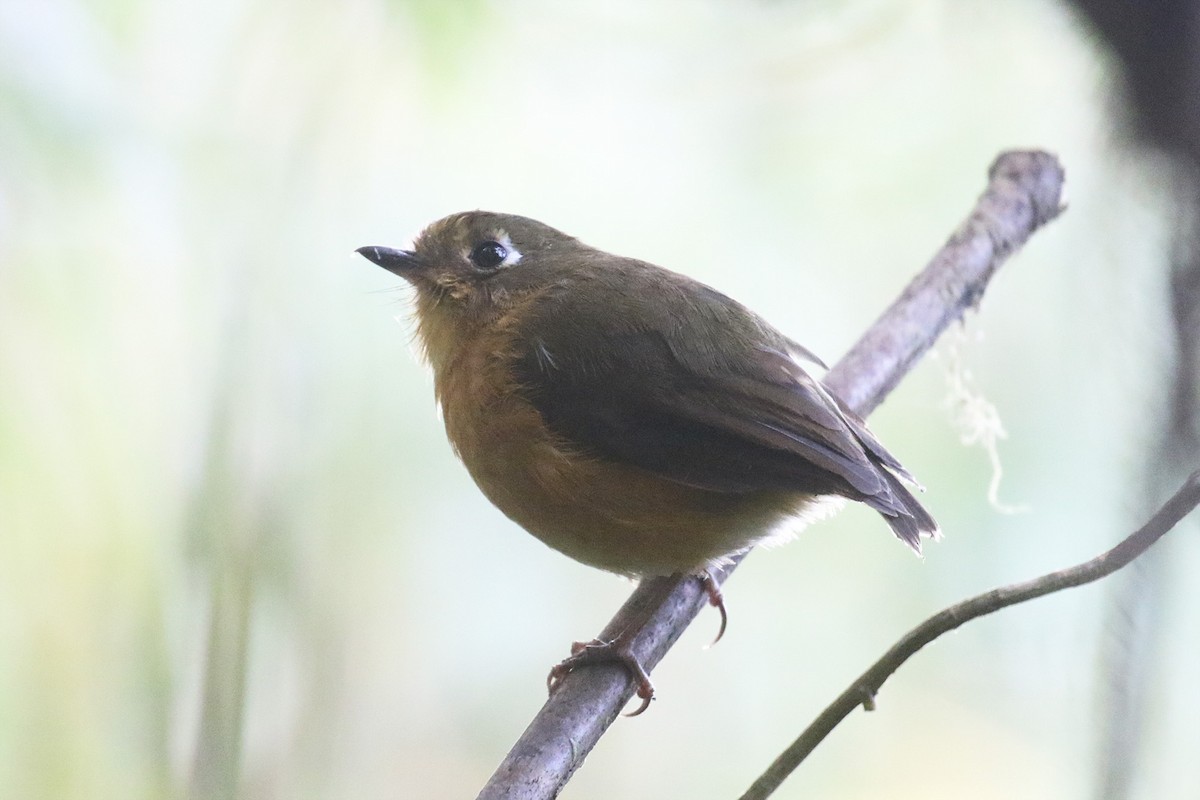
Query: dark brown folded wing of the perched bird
[[734, 416]]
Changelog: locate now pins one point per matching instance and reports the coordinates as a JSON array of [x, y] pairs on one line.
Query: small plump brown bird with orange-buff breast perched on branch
[[627, 416]]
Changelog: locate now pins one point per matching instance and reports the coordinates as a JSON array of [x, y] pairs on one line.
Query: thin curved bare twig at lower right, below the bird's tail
[[863, 690]]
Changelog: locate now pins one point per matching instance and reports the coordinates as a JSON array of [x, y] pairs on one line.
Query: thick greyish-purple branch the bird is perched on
[[1024, 193]]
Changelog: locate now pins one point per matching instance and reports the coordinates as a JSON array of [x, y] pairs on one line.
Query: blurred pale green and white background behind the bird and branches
[[239, 558]]
